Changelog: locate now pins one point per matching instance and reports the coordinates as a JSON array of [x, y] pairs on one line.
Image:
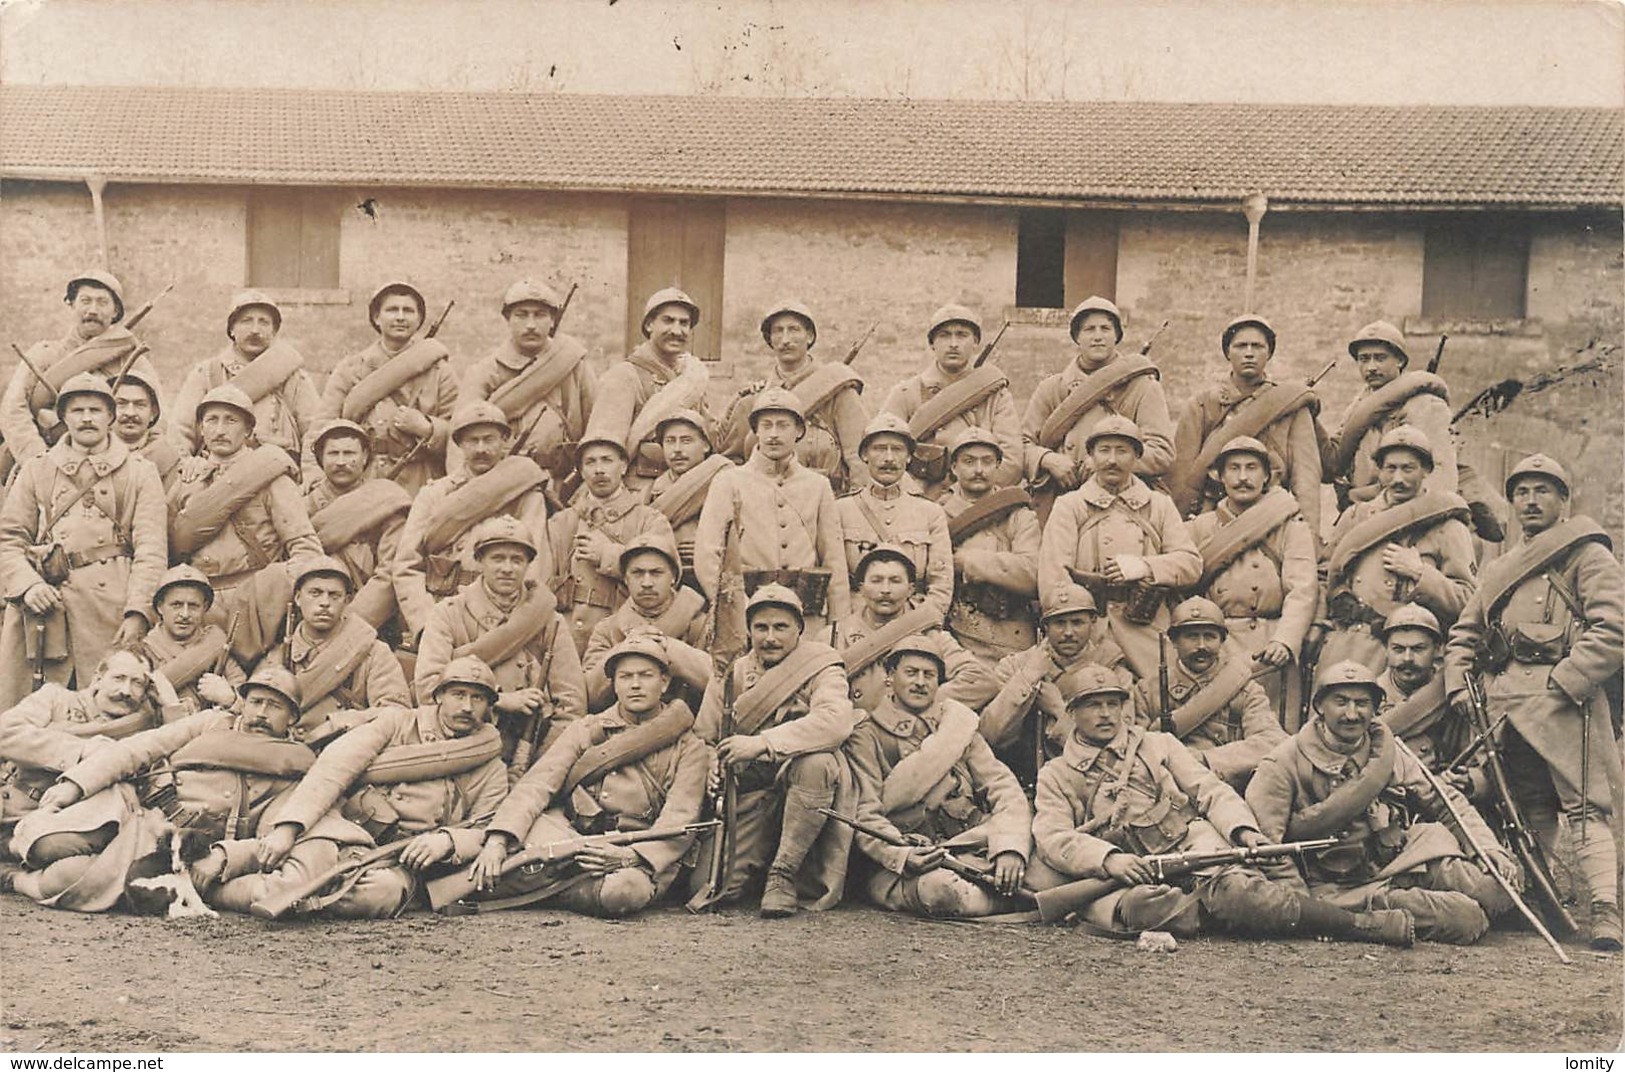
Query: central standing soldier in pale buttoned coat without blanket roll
[[799, 545]]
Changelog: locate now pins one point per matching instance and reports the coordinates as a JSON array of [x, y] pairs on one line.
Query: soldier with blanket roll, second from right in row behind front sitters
[[1218, 709]]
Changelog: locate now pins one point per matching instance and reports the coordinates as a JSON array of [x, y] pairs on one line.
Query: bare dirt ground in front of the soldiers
[[846, 980]]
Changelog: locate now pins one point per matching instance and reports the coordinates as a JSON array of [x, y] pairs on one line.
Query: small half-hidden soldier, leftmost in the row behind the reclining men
[[193, 654]]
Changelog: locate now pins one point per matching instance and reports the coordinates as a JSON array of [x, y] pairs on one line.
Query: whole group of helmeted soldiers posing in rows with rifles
[[483, 634]]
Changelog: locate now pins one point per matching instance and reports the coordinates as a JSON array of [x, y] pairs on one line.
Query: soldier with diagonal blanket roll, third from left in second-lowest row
[[519, 634]]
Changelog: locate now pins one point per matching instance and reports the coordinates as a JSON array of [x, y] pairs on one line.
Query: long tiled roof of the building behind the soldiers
[[1064, 152]]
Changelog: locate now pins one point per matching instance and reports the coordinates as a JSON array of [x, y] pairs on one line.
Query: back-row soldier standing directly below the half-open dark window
[[1098, 384]]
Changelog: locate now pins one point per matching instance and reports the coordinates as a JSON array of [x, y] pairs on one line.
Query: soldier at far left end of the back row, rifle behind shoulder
[[97, 344]]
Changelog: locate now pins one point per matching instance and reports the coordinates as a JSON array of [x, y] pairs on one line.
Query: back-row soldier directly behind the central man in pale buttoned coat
[[830, 396]]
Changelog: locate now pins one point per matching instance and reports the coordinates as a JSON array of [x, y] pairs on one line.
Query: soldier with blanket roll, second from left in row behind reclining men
[[345, 672]]
